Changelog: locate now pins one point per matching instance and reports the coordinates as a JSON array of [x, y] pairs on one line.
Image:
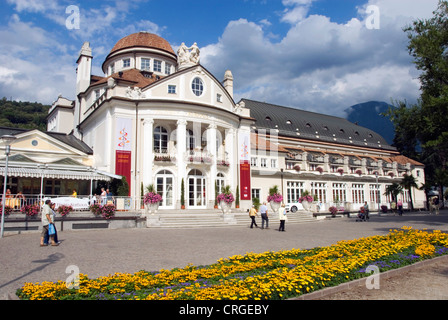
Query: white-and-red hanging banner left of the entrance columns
[[123, 146]]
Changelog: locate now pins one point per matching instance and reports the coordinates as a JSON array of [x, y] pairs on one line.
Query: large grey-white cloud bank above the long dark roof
[[321, 65]]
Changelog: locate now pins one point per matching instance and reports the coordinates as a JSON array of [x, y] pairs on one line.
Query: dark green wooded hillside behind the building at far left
[[21, 114]]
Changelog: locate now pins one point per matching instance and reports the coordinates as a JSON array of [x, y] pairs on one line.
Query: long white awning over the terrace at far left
[[49, 173]]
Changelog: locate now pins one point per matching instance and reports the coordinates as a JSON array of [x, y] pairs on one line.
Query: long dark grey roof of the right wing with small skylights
[[303, 124]]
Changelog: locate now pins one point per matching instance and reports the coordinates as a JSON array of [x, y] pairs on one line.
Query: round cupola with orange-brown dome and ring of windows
[[144, 51]]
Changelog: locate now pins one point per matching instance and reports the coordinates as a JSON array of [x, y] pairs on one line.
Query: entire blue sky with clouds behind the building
[[317, 55]]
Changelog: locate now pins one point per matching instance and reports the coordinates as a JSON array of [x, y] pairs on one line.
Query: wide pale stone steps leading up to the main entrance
[[214, 218]]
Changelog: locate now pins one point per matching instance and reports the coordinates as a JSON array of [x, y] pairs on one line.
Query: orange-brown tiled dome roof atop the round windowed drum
[[142, 39]]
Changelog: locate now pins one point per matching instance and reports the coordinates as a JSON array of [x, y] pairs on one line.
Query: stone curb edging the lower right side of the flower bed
[[360, 282]]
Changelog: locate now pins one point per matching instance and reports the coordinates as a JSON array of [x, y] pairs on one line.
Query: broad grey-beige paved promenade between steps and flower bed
[[103, 252]]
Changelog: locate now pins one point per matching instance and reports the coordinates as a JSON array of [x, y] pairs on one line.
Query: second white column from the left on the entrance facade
[[181, 136]]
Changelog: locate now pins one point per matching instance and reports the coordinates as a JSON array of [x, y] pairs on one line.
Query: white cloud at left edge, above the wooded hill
[[34, 66]]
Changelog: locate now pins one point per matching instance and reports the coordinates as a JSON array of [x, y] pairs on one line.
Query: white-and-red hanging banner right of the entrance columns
[[244, 162]]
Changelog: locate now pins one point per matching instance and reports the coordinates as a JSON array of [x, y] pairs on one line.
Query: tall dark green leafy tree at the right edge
[[421, 130]]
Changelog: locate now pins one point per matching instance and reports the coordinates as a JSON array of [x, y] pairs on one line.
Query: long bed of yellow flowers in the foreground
[[269, 275]]
